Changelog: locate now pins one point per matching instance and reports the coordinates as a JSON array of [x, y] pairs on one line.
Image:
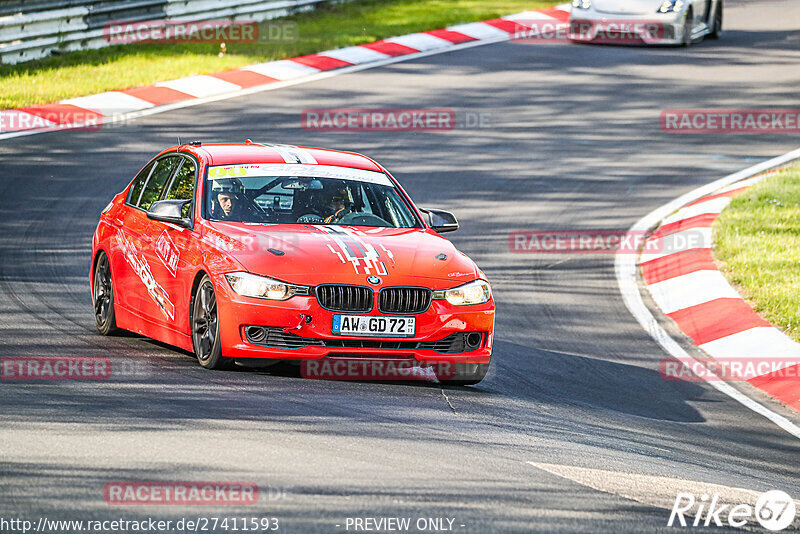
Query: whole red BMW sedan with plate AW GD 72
[[249, 252]]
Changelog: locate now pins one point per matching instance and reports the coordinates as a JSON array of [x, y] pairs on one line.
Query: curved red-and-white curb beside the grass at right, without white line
[[685, 283]]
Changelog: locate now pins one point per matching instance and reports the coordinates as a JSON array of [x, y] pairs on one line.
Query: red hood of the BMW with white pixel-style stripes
[[318, 254]]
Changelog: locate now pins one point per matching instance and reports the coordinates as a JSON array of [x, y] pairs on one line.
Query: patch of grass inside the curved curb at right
[[758, 246]]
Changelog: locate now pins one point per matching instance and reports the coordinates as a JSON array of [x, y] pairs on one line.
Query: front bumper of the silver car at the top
[[659, 29]]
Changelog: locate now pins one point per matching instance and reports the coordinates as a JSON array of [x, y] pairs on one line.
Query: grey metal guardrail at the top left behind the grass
[[35, 29]]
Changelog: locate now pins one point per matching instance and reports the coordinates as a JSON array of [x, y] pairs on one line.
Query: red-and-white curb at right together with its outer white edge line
[[678, 269]]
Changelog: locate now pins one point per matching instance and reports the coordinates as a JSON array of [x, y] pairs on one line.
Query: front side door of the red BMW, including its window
[[169, 252]]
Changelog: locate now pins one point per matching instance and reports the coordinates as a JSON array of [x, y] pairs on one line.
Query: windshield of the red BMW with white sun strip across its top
[[305, 194]]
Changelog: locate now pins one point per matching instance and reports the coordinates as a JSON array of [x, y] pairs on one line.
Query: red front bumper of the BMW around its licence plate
[[291, 316]]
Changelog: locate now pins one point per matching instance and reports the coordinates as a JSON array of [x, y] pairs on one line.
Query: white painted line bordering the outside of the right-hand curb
[[625, 267]]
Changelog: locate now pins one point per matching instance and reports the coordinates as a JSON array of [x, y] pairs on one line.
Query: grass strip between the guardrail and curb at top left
[[330, 26]]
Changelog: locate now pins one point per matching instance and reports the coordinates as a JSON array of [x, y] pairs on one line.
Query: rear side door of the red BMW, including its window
[[146, 297]]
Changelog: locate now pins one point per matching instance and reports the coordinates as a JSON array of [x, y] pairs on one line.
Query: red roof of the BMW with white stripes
[[248, 152]]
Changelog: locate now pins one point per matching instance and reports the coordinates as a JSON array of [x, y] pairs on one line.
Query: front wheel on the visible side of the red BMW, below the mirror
[[205, 327]]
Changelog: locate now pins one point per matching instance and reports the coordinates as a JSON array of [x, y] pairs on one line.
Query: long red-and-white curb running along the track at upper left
[[114, 106]]
